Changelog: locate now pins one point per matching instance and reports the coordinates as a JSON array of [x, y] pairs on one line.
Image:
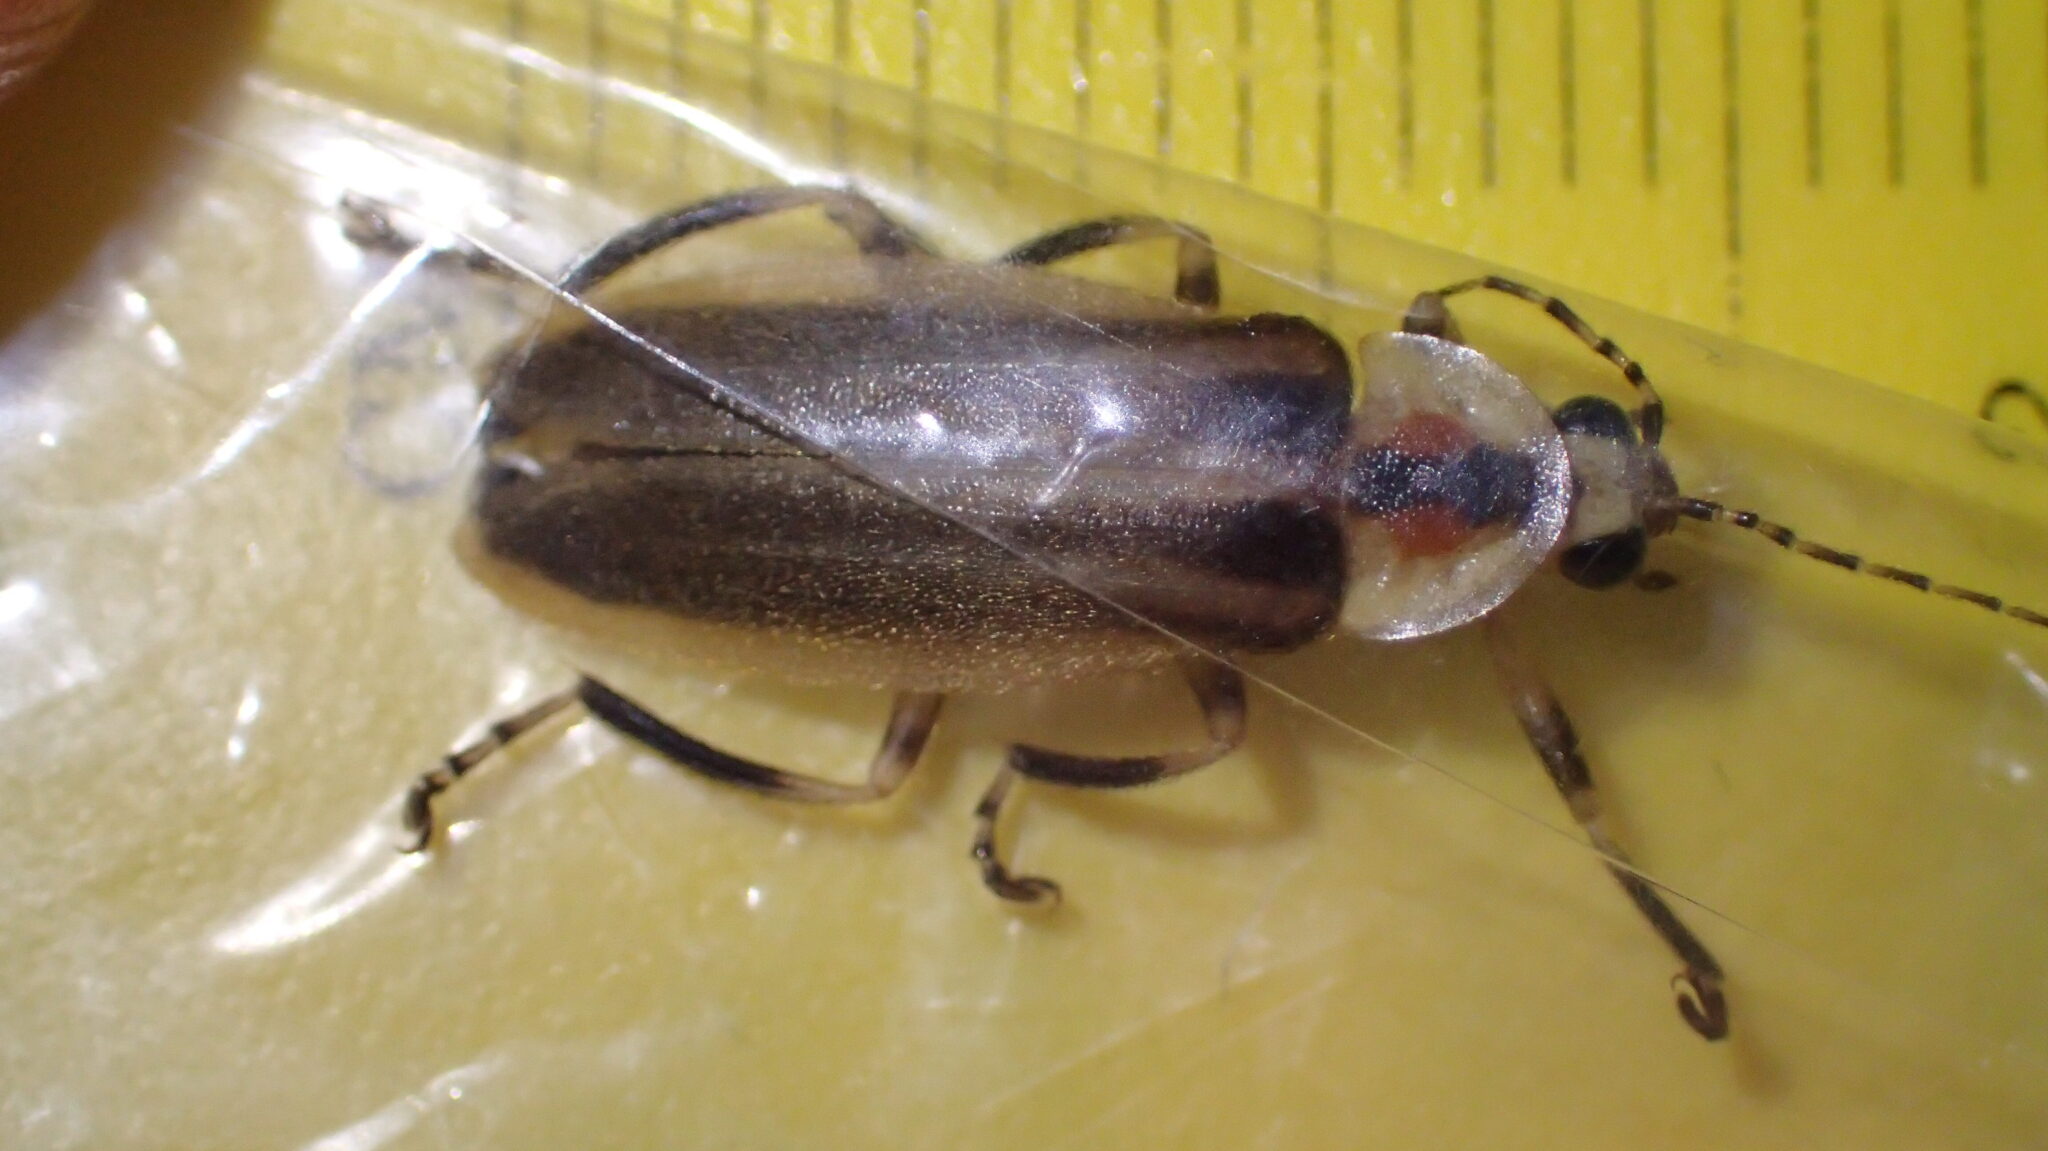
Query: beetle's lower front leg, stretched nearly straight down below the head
[[1549, 730]]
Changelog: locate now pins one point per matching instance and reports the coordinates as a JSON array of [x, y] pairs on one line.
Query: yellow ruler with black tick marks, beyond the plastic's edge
[[1861, 183]]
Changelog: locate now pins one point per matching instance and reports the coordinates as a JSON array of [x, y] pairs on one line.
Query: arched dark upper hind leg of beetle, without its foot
[[861, 218]]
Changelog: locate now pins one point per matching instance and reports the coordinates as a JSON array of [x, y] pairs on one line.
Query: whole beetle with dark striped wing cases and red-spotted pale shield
[[931, 476]]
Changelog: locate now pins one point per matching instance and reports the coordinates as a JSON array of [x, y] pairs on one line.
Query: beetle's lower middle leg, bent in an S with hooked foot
[[1222, 695]]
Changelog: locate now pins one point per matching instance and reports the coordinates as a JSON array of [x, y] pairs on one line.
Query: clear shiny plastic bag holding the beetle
[[239, 634]]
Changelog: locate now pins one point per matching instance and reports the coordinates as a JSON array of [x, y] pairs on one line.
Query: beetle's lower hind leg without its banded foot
[[904, 740]]
